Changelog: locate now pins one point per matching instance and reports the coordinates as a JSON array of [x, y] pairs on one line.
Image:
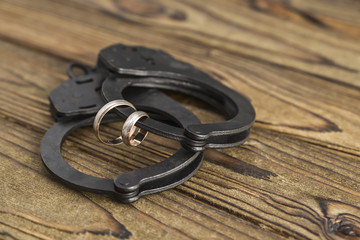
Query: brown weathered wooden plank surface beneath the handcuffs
[[298, 175]]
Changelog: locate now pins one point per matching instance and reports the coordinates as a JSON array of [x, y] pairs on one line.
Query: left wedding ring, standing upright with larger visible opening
[[100, 115]]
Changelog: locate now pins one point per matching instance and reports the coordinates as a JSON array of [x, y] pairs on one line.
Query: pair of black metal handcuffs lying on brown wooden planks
[[135, 74]]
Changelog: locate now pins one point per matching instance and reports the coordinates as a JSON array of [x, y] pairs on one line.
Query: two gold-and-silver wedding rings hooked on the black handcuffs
[[130, 134]]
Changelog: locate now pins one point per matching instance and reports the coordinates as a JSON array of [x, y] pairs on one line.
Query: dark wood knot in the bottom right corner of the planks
[[342, 219]]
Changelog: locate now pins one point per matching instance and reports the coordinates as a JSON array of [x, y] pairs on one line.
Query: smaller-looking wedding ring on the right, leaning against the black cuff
[[132, 135]]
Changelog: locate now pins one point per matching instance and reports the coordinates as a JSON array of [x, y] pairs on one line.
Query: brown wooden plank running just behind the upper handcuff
[[272, 88]]
